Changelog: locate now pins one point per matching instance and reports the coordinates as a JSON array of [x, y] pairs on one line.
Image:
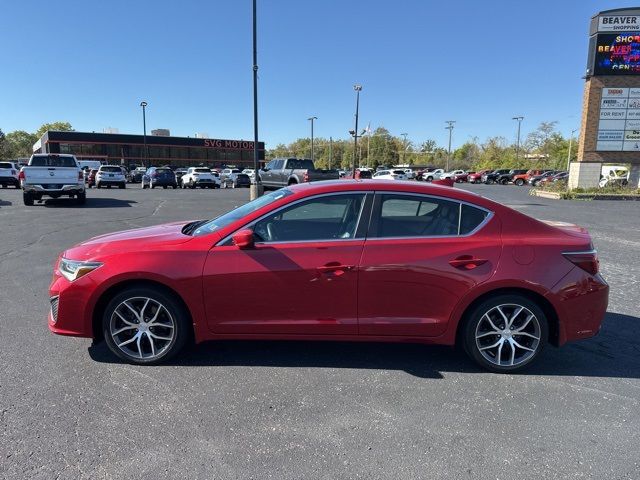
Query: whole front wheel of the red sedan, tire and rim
[[145, 325]]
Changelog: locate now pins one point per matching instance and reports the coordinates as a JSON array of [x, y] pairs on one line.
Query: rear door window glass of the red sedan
[[420, 216]]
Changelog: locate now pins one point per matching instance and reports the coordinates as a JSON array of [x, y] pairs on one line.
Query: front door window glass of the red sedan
[[329, 217]]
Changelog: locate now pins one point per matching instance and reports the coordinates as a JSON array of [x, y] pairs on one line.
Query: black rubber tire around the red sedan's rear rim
[[475, 321]]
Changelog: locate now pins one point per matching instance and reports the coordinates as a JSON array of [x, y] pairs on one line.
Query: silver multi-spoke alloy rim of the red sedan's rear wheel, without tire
[[508, 335]]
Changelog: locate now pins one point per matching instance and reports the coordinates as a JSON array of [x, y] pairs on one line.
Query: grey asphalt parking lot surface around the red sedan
[[306, 410]]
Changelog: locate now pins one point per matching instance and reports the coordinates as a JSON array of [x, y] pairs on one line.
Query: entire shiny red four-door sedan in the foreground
[[328, 261]]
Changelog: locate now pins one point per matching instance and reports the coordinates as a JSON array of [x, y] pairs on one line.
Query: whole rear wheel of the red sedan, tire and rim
[[505, 333]]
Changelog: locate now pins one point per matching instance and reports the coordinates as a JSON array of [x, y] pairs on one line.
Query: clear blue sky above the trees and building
[[420, 62]]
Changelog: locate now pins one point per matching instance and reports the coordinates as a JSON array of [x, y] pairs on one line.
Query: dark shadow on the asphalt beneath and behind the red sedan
[[614, 353]]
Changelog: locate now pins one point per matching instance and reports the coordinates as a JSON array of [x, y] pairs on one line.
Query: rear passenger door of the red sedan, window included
[[421, 256]]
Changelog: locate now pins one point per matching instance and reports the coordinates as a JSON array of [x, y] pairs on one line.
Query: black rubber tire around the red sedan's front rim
[[183, 332]]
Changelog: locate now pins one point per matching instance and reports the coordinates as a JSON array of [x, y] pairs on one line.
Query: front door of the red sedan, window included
[[301, 276]]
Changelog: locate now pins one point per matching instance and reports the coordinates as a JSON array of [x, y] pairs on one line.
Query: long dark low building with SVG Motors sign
[[128, 150]]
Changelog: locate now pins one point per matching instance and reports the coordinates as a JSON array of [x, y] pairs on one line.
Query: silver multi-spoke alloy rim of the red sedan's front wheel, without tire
[[142, 328]]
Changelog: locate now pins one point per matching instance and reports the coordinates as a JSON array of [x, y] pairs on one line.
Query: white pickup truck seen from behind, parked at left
[[52, 175]]
